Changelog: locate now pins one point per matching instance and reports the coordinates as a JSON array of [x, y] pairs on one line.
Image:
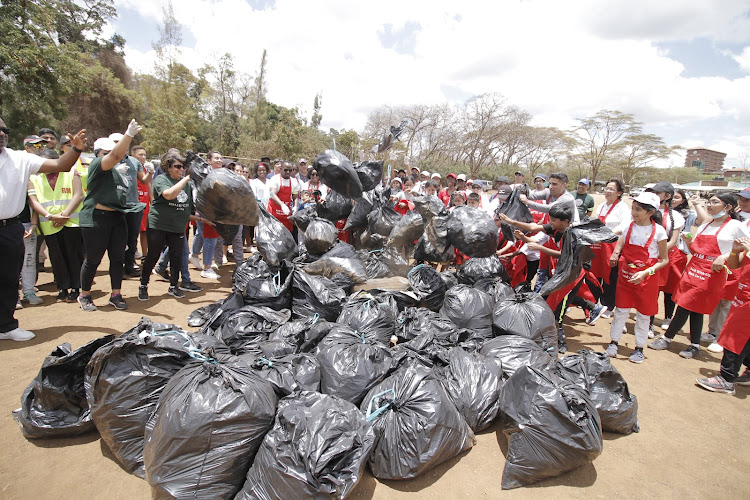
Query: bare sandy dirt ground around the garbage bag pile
[[682, 451]]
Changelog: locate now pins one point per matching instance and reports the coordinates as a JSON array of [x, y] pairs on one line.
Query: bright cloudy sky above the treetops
[[682, 68]]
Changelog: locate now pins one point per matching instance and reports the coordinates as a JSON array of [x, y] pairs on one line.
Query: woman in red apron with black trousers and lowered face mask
[[702, 284]]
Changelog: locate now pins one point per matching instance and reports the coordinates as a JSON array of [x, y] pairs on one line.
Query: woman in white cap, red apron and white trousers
[[640, 253]]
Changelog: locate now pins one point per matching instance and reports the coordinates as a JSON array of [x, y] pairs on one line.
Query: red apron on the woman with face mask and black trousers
[[700, 288]]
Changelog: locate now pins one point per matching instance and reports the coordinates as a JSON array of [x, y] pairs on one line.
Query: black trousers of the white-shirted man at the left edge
[[12, 250]]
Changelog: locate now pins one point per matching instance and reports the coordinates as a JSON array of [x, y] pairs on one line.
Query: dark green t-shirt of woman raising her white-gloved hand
[[107, 188]]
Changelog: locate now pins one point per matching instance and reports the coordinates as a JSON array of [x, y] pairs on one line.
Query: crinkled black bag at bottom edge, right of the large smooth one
[[317, 448]]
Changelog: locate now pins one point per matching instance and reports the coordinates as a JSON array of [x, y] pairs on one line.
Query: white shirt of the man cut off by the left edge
[[15, 169]]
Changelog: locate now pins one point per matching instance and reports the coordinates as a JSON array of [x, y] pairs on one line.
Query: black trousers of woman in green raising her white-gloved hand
[[109, 234]]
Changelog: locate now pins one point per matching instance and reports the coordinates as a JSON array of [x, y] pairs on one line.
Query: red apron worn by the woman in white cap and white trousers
[[644, 296]]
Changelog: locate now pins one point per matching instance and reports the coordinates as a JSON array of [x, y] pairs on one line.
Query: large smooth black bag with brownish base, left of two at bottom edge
[[209, 423]]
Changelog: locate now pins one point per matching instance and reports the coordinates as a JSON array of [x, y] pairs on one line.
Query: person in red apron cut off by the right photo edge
[[735, 335]]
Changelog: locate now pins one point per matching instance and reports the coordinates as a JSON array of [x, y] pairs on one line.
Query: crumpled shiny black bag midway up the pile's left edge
[[263, 285]]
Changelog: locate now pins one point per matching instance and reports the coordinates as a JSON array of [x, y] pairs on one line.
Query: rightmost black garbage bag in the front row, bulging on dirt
[[551, 425]]
